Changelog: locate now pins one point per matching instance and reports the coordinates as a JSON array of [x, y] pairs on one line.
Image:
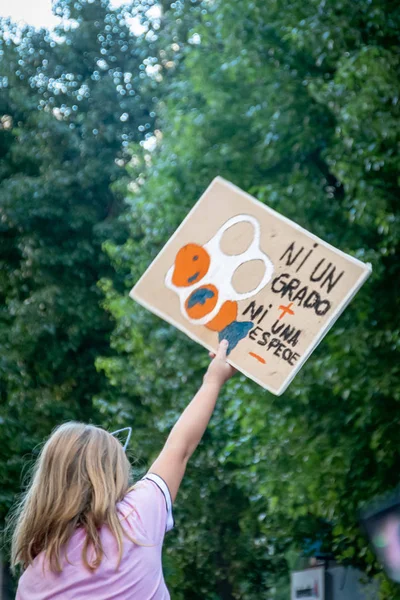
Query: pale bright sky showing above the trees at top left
[[35, 12]]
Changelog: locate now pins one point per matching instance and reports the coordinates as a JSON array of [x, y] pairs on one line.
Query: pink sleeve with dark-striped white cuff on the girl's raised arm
[[148, 507]]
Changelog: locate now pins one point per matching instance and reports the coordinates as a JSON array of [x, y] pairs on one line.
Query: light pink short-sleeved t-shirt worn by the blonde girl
[[146, 514]]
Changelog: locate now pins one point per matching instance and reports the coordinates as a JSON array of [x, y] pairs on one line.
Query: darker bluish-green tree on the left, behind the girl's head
[[71, 101]]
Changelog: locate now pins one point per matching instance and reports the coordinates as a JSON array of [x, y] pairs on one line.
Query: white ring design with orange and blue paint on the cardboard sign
[[201, 276]]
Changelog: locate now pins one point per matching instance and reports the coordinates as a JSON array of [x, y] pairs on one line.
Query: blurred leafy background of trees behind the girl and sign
[[114, 117]]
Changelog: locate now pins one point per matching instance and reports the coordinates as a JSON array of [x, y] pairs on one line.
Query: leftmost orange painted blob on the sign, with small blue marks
[[191, 264]]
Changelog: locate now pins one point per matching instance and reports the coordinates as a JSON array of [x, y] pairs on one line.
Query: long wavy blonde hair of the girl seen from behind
[[80, 475]]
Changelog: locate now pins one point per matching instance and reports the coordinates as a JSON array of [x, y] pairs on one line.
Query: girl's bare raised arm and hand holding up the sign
[[191, 425]]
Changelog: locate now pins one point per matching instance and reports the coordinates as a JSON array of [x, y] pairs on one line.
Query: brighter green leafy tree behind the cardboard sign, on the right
[[299, 107]]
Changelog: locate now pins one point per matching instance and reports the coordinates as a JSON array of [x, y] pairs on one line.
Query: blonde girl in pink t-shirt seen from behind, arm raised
[[82, 531]]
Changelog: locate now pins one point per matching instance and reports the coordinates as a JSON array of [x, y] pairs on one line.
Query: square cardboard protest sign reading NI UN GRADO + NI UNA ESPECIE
[[237, 270]]
